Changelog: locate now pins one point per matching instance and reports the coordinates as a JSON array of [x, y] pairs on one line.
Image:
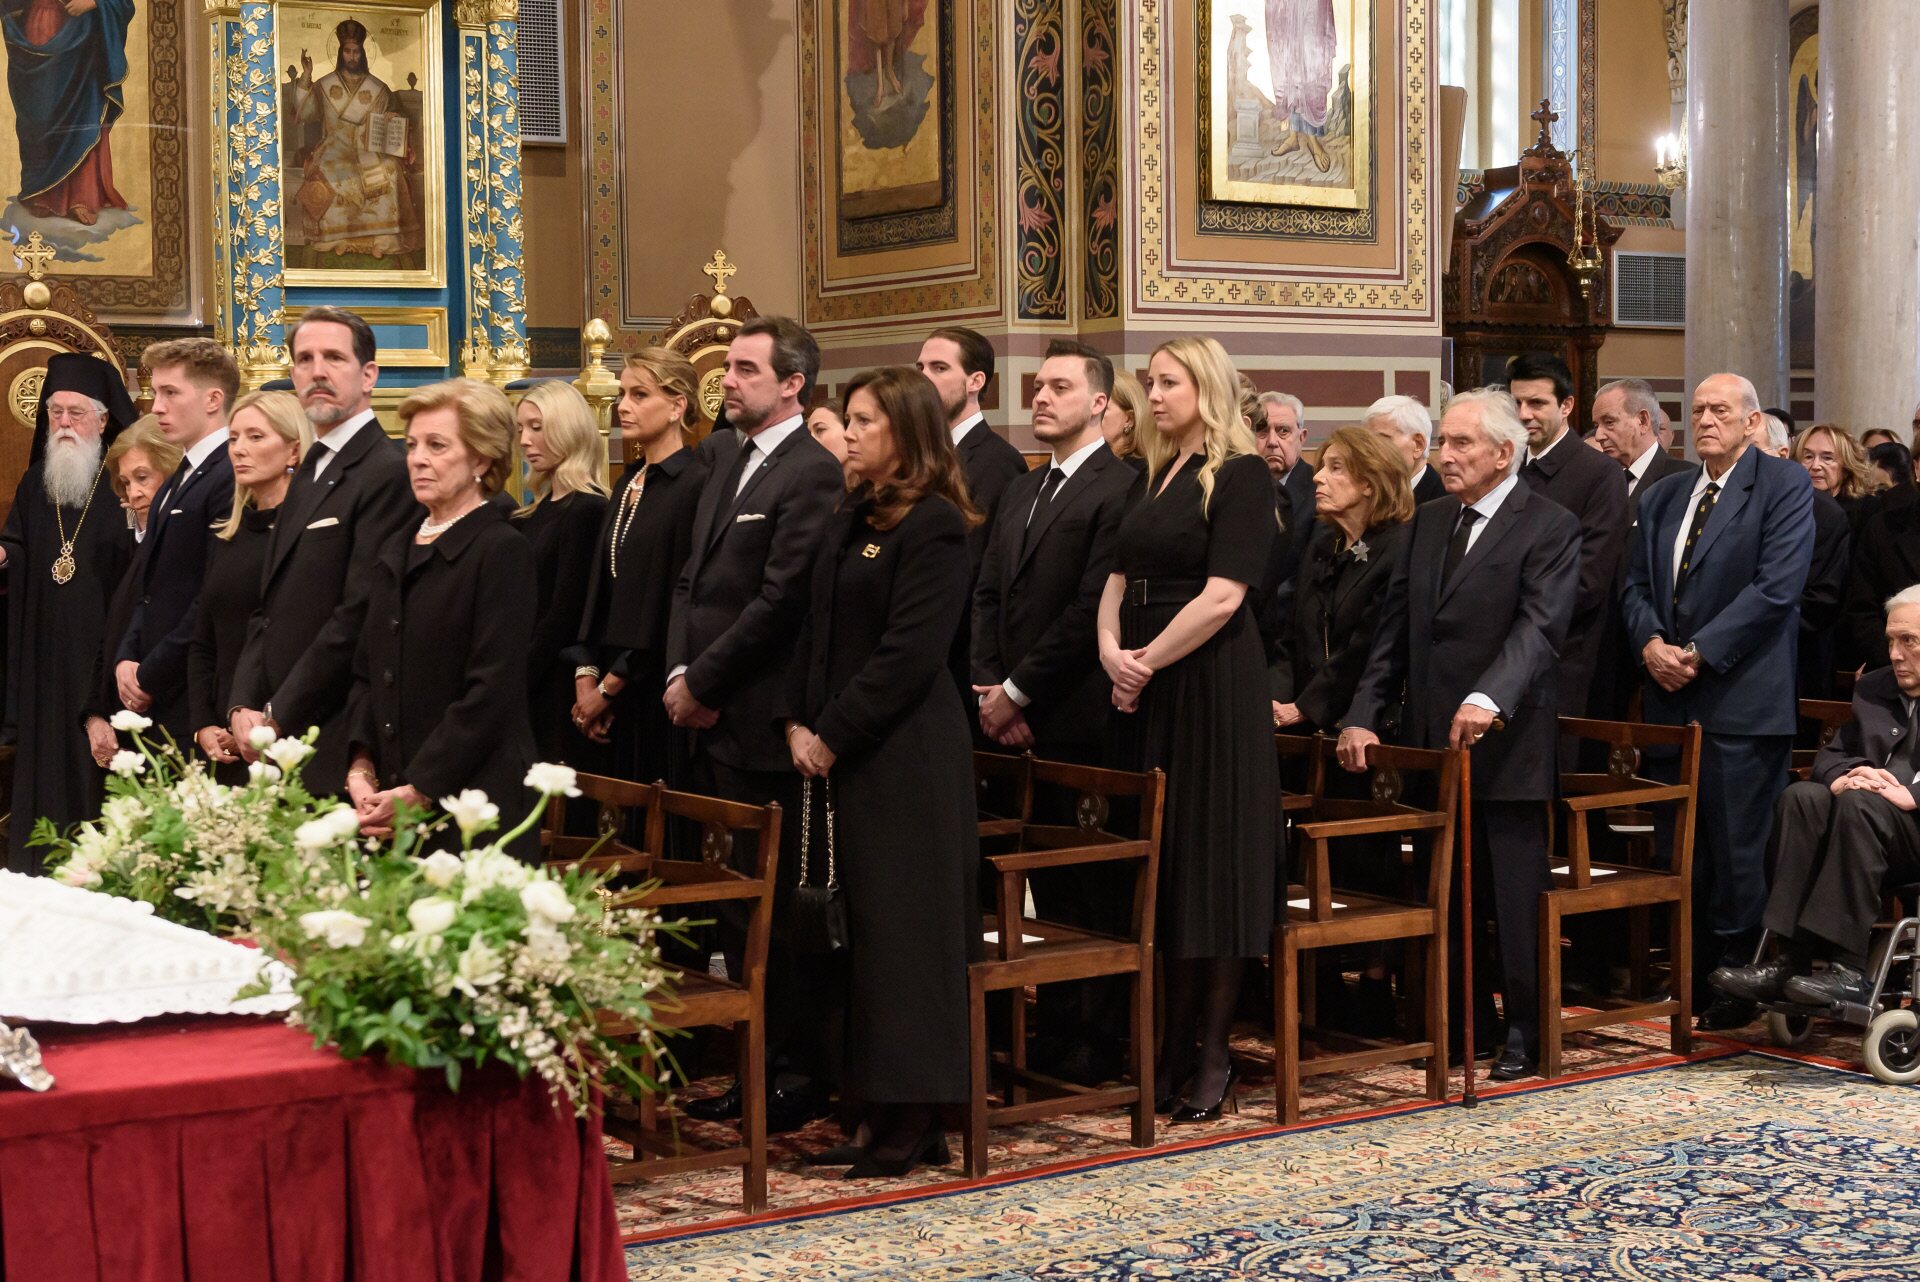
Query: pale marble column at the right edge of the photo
[[1867, 218]]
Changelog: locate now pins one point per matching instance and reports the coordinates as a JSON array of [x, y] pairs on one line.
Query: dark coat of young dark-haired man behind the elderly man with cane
[[1591, 487]]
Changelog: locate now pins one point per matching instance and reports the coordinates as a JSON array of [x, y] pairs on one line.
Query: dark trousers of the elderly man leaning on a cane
[[1510, 870]]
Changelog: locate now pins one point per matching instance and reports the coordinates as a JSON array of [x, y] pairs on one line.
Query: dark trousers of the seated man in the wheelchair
[[1831, 857]]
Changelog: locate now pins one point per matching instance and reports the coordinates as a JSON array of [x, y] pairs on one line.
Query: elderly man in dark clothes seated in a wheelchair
[[1840, 836]]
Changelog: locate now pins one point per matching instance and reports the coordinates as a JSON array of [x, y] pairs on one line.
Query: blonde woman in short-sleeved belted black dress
[[1189, 671]]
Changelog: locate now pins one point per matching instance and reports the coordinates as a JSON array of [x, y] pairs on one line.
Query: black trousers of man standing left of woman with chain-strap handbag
[[805, 995]]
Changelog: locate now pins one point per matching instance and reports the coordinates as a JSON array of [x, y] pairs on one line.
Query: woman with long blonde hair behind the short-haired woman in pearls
[[567, 460]]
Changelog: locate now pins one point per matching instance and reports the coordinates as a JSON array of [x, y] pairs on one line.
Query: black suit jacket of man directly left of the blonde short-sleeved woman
[[1038, 598]]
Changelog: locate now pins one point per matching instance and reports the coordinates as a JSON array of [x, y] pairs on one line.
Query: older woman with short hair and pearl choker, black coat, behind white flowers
[[439, 698]]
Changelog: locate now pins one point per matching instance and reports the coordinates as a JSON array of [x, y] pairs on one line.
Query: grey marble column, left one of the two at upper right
[[1737, 239]]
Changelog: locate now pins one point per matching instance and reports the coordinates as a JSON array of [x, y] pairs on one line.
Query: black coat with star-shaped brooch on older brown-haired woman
[[1337, 607]]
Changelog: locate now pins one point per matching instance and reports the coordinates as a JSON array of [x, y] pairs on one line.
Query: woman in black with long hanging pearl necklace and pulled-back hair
[[619, 657]]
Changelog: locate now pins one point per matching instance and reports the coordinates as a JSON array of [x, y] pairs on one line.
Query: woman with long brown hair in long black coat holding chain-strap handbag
[[876, 719]]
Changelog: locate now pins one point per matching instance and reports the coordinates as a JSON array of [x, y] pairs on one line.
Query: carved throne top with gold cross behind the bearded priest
[[37, 320]]
